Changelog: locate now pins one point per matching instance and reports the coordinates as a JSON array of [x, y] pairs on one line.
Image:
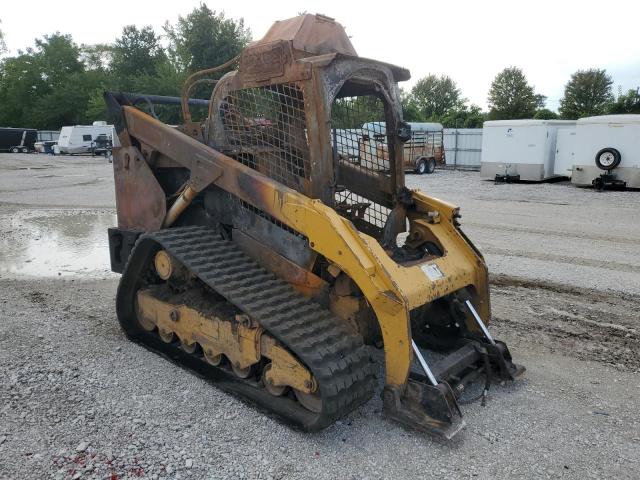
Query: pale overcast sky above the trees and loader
[[471, 41]]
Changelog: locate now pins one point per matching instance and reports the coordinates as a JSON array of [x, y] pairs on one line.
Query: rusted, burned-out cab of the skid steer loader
[[312, 56]]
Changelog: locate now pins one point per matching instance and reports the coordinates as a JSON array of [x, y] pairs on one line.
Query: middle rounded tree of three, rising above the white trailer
[[511, 96]]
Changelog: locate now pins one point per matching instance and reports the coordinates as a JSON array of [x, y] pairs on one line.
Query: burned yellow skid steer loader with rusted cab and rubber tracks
[[267, 246]]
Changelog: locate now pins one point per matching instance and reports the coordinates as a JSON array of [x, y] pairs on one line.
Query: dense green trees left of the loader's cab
[[58, 82]]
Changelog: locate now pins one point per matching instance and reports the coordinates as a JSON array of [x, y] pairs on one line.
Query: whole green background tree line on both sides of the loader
[[58, 82]]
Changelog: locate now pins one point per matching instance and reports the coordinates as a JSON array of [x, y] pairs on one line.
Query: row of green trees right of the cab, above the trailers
[[511, 96]]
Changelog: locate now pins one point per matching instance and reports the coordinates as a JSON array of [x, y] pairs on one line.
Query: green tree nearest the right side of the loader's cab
[[435, 95]]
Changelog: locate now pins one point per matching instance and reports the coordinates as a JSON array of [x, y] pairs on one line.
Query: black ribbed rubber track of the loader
[[337, 358]]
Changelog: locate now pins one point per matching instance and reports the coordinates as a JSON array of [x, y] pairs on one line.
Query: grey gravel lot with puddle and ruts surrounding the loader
[[77, 400]]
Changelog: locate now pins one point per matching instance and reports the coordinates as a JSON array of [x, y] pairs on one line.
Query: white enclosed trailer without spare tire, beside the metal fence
[[520, 149]]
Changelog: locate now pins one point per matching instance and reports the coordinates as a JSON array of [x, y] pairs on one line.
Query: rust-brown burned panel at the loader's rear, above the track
[[140, 201]]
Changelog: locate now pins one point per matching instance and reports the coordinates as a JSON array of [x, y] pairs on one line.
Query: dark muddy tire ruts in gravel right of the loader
[[589, 325]]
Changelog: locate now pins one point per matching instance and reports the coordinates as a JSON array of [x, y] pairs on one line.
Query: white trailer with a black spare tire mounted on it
[[607, 151]]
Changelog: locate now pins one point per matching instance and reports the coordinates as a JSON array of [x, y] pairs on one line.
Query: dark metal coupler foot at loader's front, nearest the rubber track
[[428, 408]]
